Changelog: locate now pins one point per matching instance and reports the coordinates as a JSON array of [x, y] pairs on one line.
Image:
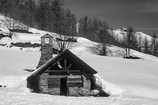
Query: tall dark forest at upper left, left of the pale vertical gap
[[46, 15]]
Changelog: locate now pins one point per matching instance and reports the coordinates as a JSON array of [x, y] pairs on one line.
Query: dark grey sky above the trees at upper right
[[142, 15]]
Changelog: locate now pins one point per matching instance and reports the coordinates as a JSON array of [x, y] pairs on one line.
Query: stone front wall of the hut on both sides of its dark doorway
[[55, 90]]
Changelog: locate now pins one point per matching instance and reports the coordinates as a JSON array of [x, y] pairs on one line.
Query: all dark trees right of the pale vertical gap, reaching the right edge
[[97, 30]]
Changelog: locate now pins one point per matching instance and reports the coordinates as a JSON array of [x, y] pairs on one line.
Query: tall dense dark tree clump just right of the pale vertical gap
[[96, 30]]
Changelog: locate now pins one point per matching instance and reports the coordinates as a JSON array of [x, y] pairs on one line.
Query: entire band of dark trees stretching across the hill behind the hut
[[50, 15]]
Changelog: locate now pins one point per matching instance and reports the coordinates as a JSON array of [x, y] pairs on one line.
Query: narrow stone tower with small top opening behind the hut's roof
[[46, 49]]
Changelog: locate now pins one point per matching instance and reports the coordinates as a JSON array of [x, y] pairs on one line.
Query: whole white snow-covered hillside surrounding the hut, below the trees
[[128, 81]]
